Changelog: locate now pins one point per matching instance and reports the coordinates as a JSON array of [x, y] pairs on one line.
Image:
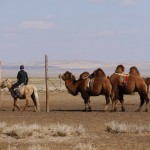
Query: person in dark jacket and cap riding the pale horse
[[22, 77]]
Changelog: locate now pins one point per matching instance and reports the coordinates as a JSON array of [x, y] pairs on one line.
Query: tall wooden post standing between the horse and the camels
[[46, 81]]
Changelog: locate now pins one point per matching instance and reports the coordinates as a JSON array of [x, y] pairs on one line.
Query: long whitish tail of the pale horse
[[36, 98]]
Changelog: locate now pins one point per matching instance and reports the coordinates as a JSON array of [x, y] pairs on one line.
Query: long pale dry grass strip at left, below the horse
[[21, 131]]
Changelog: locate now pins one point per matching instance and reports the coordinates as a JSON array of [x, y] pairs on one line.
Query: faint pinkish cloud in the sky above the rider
[[36, 25]]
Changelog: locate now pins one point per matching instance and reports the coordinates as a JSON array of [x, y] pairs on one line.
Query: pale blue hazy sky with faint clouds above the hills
[[97, 30]]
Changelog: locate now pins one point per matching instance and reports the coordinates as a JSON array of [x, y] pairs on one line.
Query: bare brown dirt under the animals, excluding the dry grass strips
[[67, 109]]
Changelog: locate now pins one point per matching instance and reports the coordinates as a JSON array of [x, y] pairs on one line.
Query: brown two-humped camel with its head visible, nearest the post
[[100, 86]]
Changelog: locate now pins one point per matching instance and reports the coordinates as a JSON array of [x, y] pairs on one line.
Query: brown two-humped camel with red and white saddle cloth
[[134, 83]]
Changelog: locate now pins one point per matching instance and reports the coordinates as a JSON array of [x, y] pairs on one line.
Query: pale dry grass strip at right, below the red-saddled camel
[[127, 128]]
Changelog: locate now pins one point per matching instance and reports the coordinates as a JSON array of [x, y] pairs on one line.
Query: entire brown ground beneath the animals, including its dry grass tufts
[[67, 127]]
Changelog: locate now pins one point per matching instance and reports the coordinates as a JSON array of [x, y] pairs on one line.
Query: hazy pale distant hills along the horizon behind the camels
[[77, 67]]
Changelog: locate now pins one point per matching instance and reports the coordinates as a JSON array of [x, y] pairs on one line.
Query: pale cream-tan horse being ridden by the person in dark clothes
[[26, 91]]
